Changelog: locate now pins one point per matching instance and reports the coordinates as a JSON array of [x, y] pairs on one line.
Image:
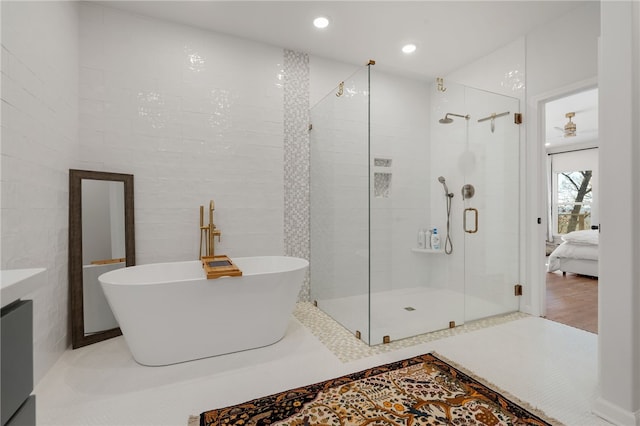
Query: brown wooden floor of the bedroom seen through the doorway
[[573, 300]]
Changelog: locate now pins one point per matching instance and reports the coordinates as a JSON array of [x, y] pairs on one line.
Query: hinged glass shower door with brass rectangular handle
[[491, 205]]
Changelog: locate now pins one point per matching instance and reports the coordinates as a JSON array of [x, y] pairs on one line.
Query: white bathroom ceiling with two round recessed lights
[[449, 34]]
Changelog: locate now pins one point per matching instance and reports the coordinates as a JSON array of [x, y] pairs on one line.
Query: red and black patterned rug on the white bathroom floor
[[424, 390]]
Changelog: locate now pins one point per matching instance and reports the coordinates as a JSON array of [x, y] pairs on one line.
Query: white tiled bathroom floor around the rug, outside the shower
[[101, 384]]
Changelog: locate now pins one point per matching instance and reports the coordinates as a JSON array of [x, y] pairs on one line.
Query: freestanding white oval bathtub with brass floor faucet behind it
[[170, 313]]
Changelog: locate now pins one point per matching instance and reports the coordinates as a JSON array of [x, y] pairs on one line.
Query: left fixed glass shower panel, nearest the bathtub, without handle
[[339, 187]]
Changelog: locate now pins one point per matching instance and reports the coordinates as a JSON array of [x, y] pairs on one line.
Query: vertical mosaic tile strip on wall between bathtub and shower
[[296, 158]]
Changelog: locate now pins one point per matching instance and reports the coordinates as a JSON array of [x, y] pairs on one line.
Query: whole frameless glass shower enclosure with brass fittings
[[381, 147]]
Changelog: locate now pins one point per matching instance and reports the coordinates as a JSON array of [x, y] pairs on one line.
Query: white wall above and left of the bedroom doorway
[[571, 62]]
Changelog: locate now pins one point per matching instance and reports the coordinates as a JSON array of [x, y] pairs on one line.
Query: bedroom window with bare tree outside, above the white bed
[[574, 197]]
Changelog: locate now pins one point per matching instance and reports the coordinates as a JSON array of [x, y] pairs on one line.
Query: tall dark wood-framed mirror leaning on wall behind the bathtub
[[101, 238]]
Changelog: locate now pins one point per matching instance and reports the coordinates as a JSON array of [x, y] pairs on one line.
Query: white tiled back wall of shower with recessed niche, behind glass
[[340, 219]]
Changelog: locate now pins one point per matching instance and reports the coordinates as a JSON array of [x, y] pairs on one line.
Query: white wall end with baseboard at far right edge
[[619, 273]]
